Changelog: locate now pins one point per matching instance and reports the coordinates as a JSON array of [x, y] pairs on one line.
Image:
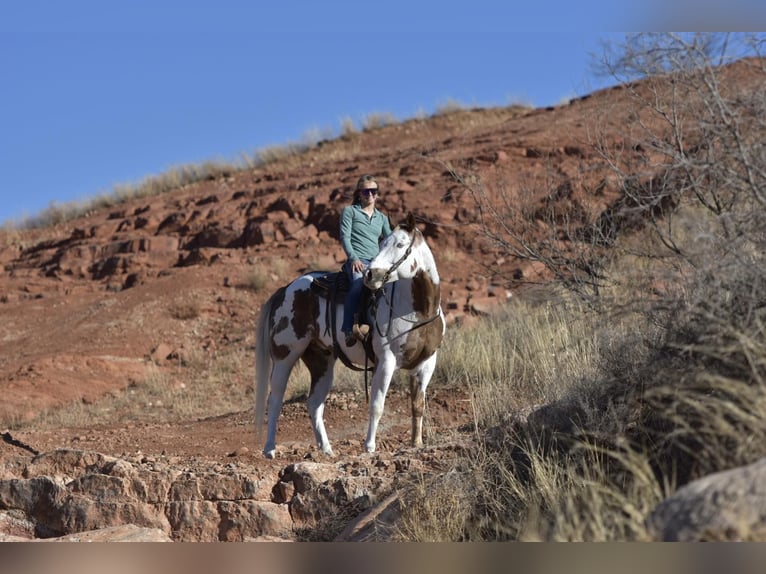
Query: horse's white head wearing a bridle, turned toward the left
[[403, 254]]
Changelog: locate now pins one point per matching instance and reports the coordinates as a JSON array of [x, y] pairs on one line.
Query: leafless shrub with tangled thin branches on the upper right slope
[[694, 145]]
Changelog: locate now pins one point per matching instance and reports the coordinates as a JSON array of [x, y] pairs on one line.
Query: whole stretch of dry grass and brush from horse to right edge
[[636, 405]]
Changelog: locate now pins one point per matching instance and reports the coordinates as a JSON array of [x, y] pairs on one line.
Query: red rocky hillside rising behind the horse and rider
[[85, 302]]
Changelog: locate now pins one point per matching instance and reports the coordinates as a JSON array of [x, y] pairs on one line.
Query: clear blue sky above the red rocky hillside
[[96, 93]]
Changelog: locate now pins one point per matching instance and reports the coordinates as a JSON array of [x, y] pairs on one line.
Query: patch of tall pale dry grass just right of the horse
[[524, 355]]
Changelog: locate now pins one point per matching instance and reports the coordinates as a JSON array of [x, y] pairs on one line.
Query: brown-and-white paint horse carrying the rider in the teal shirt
[[406, 329]]
